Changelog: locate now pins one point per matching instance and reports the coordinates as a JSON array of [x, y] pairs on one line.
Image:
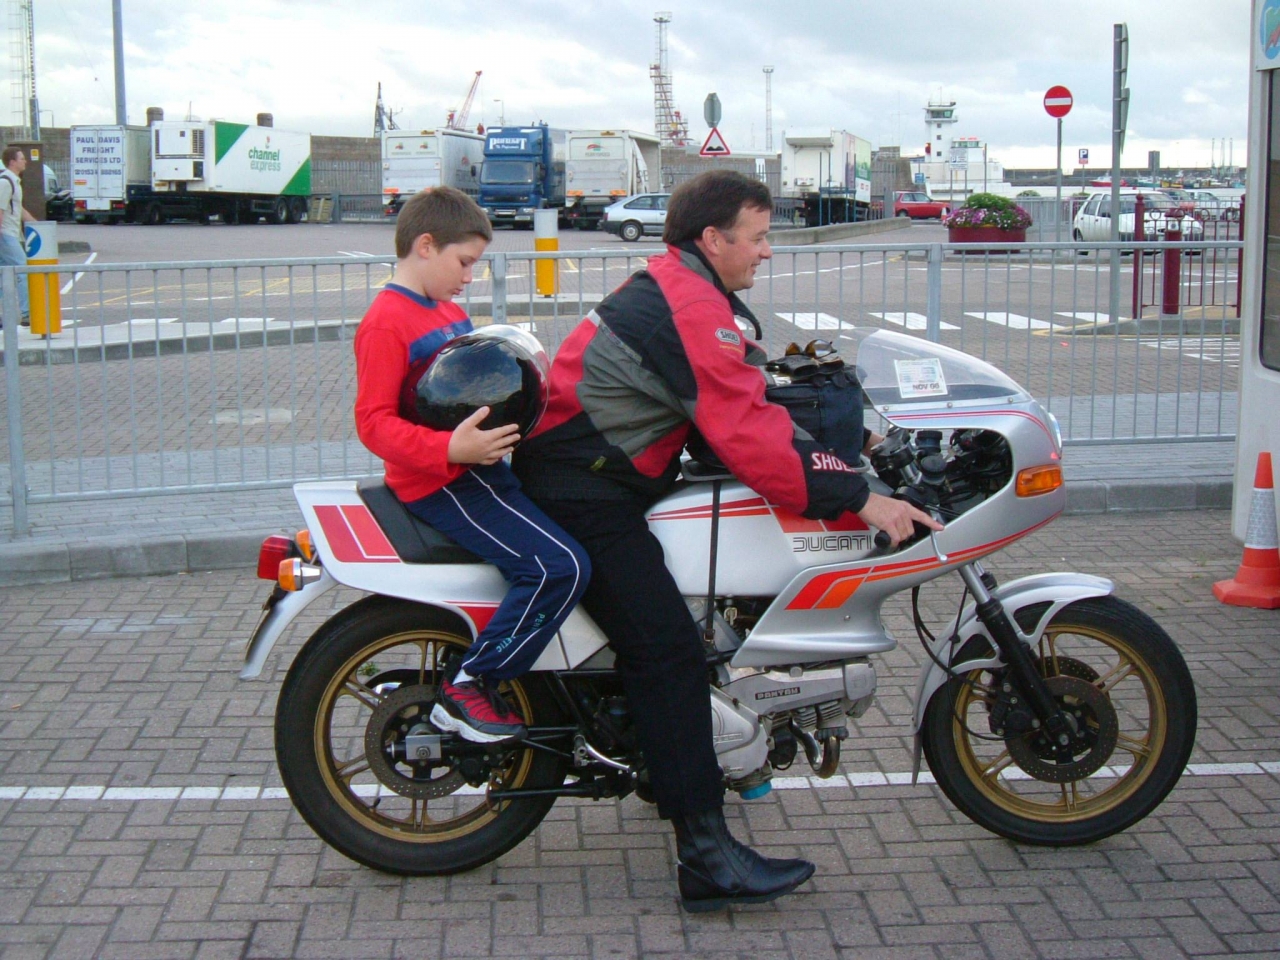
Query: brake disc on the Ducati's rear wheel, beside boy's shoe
[[403, 712]]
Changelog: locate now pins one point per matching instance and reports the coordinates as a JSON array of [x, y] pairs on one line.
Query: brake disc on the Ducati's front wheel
[[1096, 732]]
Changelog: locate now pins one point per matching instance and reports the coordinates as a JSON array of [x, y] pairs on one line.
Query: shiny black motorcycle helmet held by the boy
[[499, 367]]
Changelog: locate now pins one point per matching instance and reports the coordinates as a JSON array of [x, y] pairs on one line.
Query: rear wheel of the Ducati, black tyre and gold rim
[[353, 715]]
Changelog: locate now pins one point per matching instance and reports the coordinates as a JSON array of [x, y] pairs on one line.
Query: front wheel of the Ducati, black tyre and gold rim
[[1128, 692]]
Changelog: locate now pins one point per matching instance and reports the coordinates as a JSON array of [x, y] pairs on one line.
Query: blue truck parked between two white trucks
[[524, 171]]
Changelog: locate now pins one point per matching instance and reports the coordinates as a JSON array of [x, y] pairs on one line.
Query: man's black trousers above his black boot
[[660, 652]]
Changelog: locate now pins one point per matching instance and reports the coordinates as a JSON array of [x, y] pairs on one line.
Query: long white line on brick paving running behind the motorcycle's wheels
[[862, 780]]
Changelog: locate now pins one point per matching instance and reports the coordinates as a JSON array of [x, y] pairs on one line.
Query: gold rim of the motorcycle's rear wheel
[[350, 779]]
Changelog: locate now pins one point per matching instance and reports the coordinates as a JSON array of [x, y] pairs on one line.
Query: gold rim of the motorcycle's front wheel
[[991, 769]]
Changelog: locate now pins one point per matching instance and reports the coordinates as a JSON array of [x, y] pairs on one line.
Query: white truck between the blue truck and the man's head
[[604, 167]]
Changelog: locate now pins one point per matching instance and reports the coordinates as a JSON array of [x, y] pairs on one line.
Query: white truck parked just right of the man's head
[[828, 175]]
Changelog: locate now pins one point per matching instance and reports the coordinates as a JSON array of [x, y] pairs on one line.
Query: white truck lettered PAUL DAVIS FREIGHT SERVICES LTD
[[111, 172]]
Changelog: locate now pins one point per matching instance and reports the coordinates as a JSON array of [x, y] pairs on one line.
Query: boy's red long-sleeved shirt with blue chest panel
[[399, 330]]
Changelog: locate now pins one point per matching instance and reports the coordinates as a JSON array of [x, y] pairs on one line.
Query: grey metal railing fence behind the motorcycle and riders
[[223, 376]]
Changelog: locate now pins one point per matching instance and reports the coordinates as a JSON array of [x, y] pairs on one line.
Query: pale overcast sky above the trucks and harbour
[[866, 67]]
